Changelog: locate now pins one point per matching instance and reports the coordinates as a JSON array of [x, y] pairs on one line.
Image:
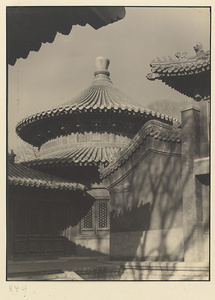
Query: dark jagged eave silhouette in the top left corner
[[29, 27]]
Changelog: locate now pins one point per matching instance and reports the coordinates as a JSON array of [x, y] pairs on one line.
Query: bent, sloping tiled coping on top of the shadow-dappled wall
[[153, 129]]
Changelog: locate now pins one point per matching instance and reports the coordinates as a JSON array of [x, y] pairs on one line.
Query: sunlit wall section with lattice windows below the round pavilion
[[93, 240]]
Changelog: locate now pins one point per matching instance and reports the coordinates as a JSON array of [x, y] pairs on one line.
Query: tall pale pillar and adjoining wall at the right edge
[[196, 178]]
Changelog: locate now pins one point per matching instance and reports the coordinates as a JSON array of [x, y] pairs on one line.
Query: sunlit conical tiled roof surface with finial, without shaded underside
[[101, 96]]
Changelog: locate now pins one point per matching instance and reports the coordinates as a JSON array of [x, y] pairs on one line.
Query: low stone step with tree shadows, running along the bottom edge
[[134, 270]]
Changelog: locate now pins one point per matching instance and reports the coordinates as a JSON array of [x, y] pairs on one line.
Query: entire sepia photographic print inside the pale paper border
[[108, 143]]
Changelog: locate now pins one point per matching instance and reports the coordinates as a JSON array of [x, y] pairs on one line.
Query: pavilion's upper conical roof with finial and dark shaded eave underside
[[100, 98]]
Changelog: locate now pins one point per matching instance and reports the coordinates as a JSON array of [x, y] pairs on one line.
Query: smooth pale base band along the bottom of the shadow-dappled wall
[[149, 244]]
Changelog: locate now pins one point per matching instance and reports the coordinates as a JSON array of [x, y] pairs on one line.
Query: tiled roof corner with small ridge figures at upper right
[[181, 65]]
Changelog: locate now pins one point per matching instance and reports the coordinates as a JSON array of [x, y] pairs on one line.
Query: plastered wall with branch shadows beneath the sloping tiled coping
[[146, 204]]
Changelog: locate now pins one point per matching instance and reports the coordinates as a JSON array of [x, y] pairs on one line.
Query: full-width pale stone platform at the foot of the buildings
[[101, 269]]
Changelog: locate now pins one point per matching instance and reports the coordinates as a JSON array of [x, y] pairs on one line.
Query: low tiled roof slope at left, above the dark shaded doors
[[19, 175]]
